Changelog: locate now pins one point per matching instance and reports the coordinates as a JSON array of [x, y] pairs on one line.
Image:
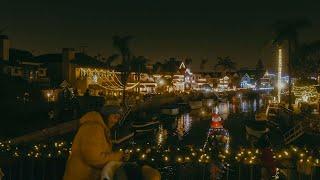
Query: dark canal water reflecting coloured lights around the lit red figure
[[192, 127]]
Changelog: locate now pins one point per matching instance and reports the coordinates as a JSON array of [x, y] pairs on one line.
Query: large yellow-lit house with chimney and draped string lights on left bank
[[80, 70]]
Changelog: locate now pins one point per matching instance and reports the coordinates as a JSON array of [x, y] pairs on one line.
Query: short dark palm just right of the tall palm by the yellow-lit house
[[138, 65]]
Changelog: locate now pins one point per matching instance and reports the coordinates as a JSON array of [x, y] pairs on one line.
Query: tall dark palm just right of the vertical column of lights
[[287, 30]]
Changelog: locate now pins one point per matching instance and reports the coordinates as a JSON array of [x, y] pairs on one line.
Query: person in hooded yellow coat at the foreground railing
[[92, 147]]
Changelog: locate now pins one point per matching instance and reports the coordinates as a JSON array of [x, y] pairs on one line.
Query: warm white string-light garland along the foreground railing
[[168, 155]]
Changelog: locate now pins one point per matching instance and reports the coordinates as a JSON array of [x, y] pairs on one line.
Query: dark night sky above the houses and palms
[[161, 29]]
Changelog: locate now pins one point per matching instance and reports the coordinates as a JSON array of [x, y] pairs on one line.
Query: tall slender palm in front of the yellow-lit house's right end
[[122, 45]]
